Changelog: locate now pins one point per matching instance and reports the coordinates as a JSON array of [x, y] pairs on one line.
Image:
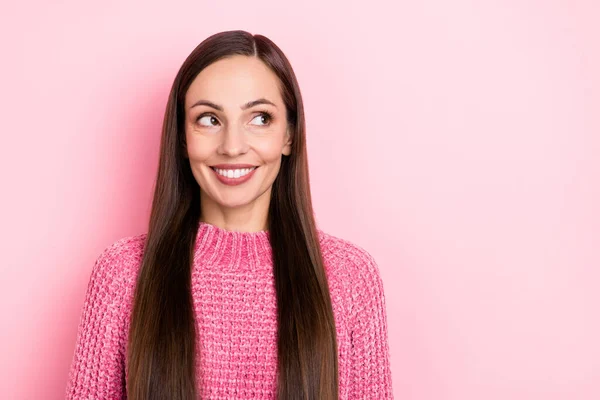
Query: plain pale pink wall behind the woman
[[458, 142]]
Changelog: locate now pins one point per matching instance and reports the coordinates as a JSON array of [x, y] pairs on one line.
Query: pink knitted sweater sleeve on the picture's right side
[[370, 357]]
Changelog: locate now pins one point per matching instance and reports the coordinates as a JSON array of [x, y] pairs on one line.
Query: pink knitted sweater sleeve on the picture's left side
[[97, 366]]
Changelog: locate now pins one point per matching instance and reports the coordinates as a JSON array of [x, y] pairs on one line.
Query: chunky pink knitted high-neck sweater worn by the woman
[[235, 306]]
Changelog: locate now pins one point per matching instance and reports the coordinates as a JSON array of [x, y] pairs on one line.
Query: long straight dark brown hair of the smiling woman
[[161, 348]]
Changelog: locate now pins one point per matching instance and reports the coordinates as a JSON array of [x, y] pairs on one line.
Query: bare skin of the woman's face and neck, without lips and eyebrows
[[234, 135]]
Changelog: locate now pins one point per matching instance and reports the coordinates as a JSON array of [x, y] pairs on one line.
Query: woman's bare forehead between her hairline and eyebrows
[[233, 81]]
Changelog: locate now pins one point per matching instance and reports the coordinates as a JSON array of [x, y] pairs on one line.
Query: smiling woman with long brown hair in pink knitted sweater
[[233, 293]]
